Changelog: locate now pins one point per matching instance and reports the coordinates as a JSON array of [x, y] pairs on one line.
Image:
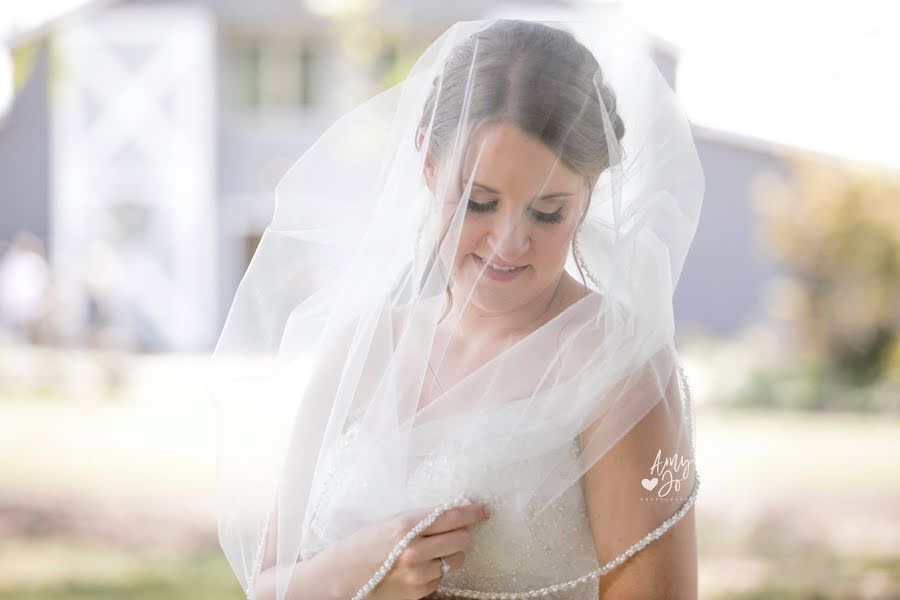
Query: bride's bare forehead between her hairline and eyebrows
[[515, 162]]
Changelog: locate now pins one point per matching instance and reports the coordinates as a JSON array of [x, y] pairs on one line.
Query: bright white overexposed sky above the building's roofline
[[816, 75]]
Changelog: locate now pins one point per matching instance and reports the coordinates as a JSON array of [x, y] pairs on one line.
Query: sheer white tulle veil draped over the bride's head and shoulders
[[355, 291]]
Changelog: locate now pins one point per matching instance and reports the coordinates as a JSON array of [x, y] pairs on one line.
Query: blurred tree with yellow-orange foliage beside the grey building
[[836, 226]]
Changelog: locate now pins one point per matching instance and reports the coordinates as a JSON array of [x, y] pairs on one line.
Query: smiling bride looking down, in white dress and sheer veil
[[449, 369]]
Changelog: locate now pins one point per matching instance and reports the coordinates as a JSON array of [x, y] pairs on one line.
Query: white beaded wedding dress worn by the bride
[[515, 550]]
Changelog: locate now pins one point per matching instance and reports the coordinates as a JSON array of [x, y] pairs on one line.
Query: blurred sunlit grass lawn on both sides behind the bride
[[792, 505]]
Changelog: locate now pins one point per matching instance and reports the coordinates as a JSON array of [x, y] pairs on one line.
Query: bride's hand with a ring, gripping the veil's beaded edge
[[417, 571]]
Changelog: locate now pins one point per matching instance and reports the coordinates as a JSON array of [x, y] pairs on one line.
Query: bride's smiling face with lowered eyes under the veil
[[522, 212]]
